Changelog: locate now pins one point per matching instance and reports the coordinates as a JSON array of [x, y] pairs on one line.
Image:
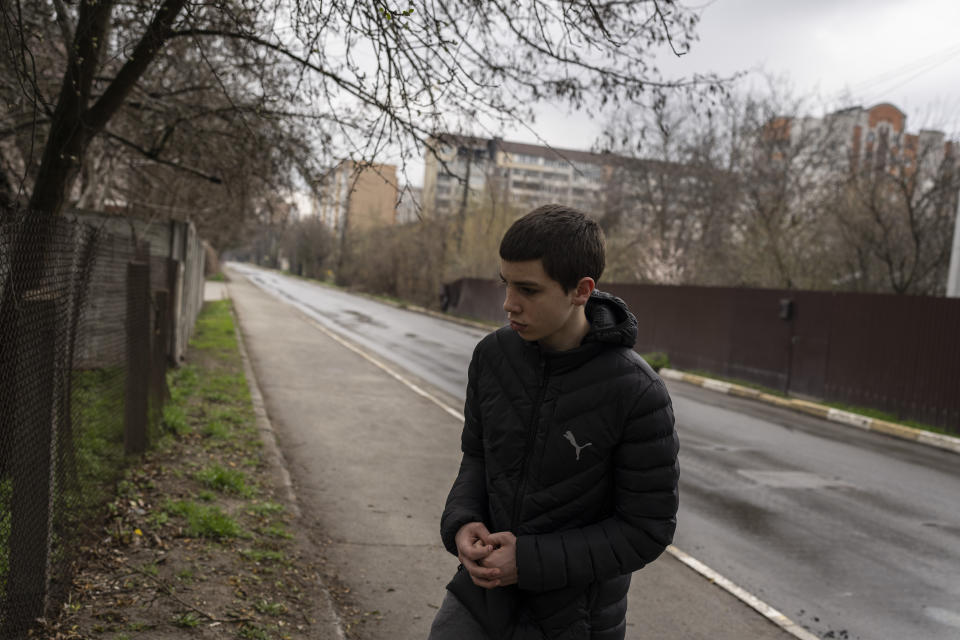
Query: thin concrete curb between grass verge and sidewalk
[[275, 457]]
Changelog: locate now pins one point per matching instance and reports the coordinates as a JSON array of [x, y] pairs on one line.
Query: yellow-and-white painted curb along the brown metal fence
[[846, 418]]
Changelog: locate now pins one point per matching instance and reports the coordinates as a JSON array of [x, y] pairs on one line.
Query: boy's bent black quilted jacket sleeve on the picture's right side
[[646, 500]]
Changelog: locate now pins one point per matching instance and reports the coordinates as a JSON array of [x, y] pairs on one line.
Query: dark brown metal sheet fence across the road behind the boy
[[898, 354]]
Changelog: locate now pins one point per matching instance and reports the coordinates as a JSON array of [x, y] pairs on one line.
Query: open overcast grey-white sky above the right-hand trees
[[906, 52]]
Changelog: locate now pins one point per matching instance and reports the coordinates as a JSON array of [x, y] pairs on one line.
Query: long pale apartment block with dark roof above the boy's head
[[525, 175]]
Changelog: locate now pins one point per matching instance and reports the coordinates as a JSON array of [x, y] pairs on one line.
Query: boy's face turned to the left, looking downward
[[537, 306]]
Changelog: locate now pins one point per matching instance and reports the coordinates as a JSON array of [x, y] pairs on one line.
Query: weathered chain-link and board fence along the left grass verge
[[90, 319]]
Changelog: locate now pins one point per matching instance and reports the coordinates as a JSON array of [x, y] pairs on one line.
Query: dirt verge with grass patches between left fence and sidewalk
[[198, 543]]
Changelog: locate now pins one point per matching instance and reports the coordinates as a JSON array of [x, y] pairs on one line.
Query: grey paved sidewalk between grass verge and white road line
[[371, 463]]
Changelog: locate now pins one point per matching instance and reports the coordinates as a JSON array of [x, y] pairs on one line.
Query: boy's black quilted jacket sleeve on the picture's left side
[[467, 500]]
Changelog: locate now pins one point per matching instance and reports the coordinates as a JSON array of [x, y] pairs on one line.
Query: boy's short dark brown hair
[[569, 243]]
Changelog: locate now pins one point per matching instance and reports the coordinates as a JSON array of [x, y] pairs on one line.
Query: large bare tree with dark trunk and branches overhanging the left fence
[[373, 75]]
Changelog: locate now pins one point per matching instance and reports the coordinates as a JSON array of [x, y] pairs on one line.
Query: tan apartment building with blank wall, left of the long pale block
[[358, 196]]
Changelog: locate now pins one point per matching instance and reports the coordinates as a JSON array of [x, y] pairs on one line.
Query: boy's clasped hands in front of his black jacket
[[489, 558]]
